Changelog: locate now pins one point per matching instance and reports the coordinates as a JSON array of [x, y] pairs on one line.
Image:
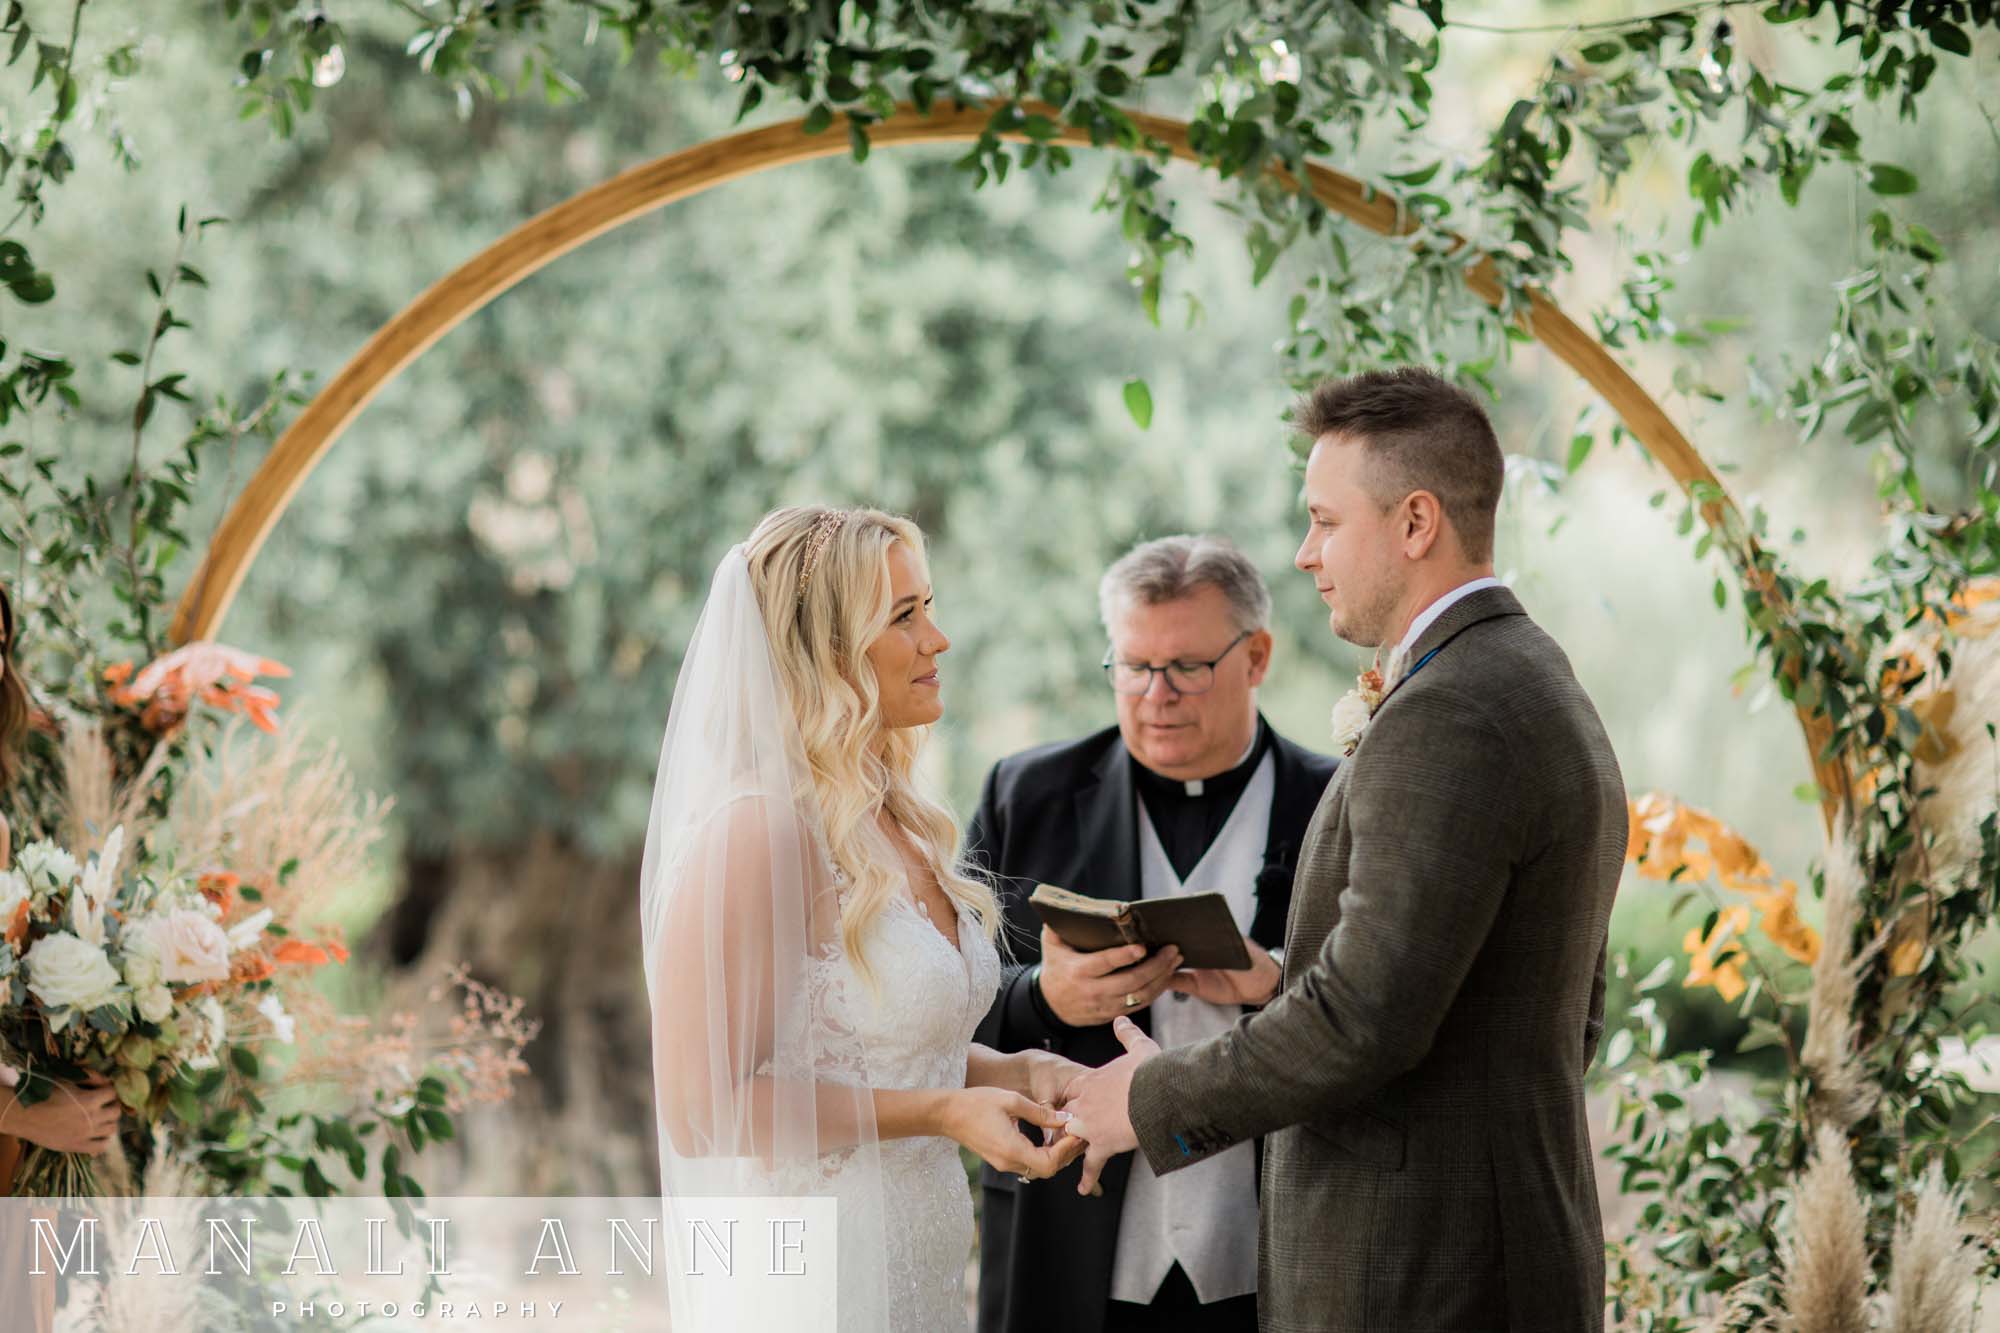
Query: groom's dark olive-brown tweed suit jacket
[[1421, 1078]]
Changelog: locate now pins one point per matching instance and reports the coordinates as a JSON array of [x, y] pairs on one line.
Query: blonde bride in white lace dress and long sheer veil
[[815, 958]]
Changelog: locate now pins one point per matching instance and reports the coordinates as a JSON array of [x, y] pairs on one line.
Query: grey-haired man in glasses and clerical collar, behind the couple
[[1191, 792]]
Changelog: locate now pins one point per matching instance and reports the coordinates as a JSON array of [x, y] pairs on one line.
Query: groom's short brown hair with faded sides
[[1423, 433]]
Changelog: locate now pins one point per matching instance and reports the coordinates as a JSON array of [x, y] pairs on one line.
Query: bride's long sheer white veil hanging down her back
[[759, 1084]]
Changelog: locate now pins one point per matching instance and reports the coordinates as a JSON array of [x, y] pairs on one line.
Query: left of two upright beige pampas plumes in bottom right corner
[[1827, 1264]]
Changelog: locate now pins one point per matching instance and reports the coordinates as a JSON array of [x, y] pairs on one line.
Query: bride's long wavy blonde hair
[[821, 627]]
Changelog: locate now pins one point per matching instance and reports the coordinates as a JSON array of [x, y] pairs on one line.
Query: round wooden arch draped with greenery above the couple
[[681, 175]]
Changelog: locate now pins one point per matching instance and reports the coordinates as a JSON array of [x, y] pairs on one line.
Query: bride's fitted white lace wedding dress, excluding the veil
[[915, 1036]]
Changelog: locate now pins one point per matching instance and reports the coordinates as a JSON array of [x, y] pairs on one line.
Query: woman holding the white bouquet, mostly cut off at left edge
[[75, 1118]]
